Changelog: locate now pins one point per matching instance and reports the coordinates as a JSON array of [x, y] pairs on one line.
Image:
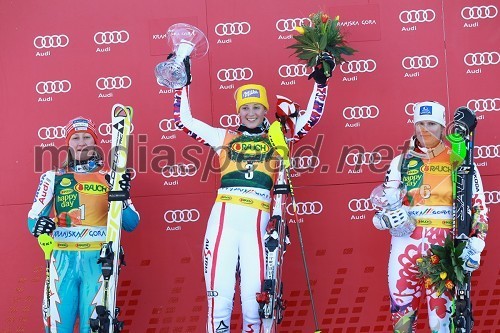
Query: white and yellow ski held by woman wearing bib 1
[[112, 256]]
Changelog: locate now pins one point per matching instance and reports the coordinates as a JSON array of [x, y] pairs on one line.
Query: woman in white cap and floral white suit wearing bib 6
[[426, 171]]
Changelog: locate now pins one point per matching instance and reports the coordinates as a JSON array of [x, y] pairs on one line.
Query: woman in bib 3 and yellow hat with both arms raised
[[237, 224]]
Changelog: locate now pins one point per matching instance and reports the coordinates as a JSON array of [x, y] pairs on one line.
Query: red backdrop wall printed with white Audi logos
[[62, 59]]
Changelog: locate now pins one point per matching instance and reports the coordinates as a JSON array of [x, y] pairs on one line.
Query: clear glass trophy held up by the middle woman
[[185, 40]]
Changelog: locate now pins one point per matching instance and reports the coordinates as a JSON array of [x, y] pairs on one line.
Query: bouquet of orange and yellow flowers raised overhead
[[322, 36]]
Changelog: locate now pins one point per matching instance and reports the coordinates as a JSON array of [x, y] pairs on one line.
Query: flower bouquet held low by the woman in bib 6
[[442, 269]]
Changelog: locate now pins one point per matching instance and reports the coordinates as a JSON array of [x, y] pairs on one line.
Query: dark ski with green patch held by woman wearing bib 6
[[462, 143]]
